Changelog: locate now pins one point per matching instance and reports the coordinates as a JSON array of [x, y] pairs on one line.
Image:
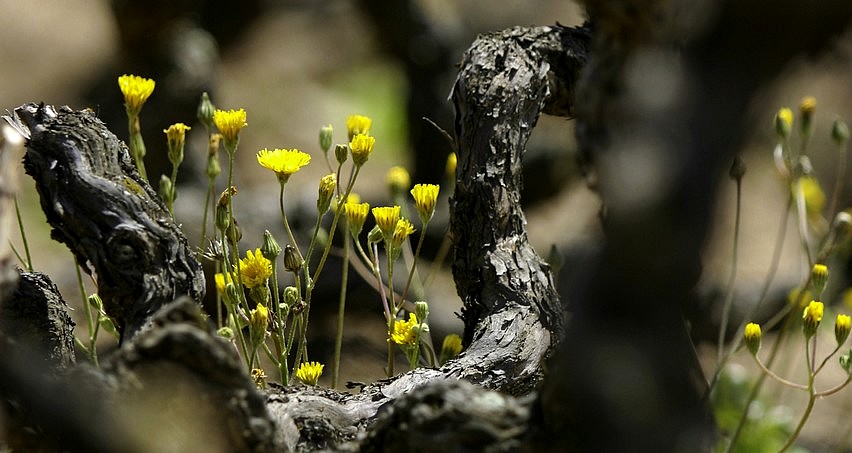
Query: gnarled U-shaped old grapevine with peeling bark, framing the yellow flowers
[[111, 220]]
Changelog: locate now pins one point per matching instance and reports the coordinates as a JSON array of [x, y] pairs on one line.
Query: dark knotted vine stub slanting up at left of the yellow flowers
[[110, 218]]
